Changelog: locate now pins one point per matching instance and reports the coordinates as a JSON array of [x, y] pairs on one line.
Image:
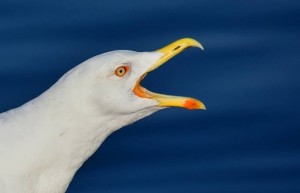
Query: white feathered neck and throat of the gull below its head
[[55, 134]]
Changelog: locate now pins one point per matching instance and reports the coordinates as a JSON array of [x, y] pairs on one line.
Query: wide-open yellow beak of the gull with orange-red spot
[[169, 52]]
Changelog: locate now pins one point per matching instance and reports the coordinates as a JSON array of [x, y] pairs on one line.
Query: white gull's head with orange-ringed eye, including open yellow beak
[[111, 81]]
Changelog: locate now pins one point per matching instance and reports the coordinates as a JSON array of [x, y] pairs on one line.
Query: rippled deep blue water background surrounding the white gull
[[248, 141]]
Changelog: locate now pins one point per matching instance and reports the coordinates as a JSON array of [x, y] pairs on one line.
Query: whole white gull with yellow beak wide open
[[45, 141]]
